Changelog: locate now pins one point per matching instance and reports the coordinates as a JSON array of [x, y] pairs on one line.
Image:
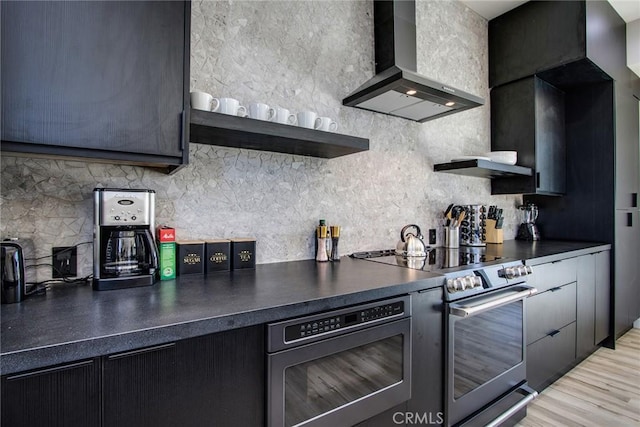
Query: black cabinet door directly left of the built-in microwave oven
[[222, 379]]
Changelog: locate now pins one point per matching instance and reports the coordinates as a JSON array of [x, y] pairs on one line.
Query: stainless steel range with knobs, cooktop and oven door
[[485, 297]]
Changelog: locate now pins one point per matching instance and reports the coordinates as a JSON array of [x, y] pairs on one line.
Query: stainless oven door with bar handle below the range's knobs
[[485, 350]]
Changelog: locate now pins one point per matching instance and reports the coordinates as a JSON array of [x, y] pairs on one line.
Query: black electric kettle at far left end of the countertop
[[12, 273]]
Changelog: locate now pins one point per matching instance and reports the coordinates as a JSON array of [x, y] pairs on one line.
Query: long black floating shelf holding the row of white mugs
[[240, 132]]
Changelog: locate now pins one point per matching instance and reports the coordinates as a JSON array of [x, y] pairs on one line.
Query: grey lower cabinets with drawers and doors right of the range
[[569, 317]]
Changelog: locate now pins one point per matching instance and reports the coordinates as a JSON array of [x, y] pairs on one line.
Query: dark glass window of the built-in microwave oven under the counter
[[321, 385]]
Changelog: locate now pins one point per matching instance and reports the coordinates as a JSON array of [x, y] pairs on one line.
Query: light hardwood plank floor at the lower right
[[602, 391]]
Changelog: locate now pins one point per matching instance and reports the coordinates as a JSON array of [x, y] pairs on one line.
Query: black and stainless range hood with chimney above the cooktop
[[397, 89]]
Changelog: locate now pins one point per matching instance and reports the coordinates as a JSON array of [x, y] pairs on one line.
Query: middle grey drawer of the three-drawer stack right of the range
[[550, 311]]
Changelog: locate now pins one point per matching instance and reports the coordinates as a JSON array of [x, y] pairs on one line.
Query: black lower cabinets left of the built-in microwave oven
[[215, 380]]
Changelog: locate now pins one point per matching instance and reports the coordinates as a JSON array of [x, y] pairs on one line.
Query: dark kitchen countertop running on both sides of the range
[[74, 322]]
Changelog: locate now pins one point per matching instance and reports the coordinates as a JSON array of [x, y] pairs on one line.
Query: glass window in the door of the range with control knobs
[[486, 345]]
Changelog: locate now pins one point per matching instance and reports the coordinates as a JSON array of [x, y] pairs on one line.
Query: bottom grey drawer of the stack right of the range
[[551, 357]]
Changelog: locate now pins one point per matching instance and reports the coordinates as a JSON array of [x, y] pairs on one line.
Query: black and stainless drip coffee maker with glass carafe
[[124, 250]]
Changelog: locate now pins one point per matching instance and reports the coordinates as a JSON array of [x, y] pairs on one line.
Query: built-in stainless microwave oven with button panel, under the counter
[[339, 367]]
